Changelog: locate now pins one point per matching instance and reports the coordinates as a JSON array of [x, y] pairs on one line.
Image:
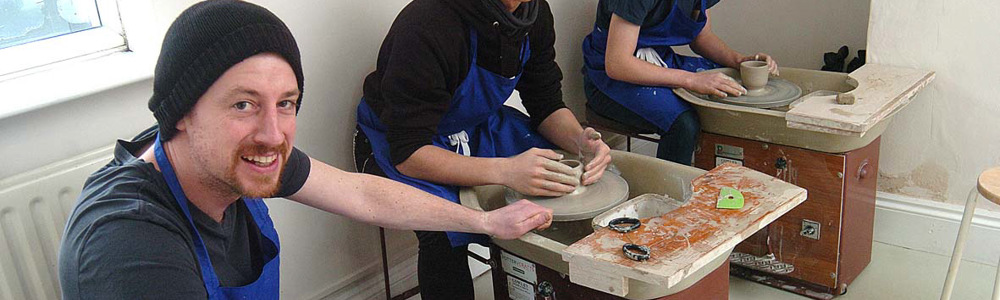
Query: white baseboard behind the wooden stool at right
[[932, 227]]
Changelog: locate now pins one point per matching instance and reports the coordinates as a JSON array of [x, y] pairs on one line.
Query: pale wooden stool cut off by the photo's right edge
[[989, 187]]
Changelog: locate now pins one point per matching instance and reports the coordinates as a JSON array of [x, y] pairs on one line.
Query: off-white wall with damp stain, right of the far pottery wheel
[[936, 147]]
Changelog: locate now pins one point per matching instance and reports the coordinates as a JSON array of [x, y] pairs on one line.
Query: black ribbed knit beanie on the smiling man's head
[[205, 41]]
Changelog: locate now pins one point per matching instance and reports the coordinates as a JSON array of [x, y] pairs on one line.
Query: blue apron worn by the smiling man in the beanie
[[266, 286]]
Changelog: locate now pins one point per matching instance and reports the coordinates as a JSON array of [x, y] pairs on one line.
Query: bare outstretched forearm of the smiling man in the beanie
[[383, 202]]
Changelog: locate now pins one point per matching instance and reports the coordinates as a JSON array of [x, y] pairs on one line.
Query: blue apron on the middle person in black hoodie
[[476, 124]]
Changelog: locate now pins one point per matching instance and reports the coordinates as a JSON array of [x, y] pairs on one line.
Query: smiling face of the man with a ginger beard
[[242, 129]]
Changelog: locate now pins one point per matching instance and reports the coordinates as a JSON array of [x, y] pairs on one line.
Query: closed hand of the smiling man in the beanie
[[516, 219]]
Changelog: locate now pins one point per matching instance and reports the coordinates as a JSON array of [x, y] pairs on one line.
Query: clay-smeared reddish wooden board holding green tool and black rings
[[686, 239]]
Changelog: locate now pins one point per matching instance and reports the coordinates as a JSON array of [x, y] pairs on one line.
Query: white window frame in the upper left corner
[[38, 55]]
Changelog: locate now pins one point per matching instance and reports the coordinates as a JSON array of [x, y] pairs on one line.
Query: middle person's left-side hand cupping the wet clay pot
[[537, 172]]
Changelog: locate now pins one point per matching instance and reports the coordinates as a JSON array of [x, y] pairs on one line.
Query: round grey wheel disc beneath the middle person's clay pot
[[584, 203]]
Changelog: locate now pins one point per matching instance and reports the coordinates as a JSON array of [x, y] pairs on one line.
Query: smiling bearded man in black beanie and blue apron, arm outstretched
[[178, 212]]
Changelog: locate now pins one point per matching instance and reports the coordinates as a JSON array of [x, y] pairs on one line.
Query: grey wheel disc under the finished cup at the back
[[778, 92]]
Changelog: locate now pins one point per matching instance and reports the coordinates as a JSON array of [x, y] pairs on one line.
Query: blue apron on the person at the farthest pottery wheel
[[658, 105]]
